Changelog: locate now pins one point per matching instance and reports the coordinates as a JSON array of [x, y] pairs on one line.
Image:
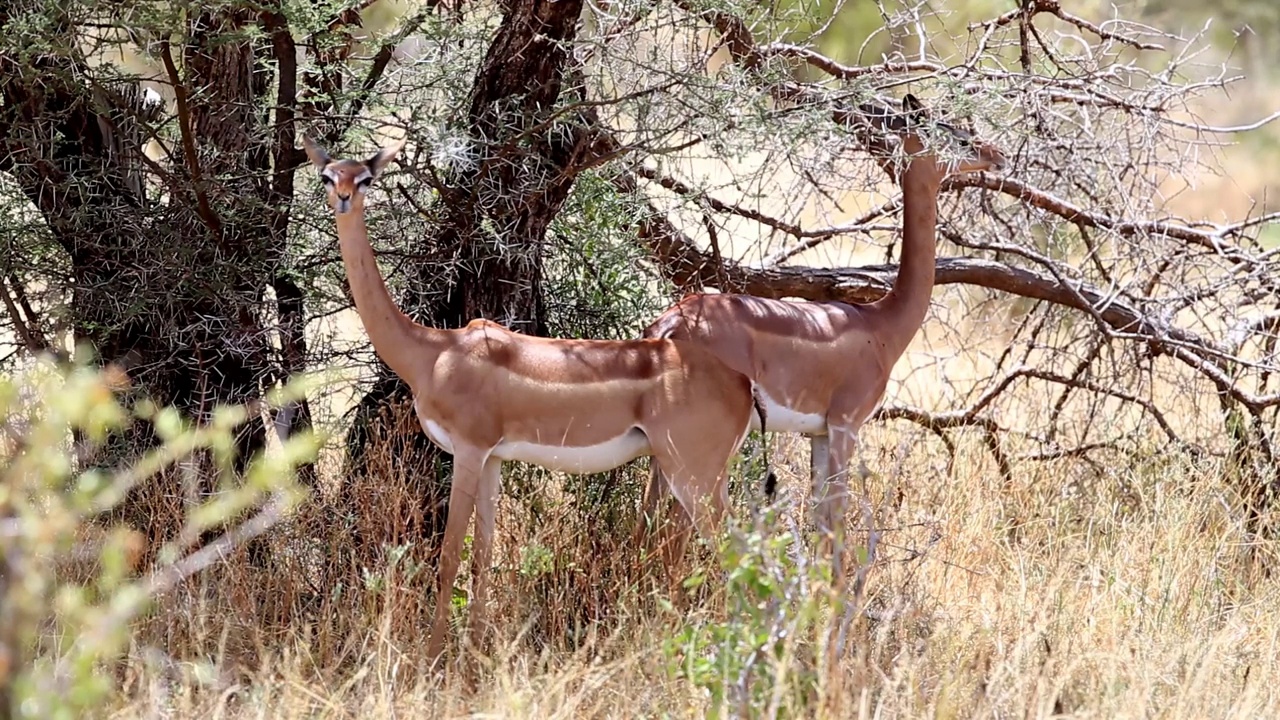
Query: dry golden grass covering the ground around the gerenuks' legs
[[1071, 594]]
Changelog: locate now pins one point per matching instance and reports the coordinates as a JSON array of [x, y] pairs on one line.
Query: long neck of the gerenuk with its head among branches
[[903, 309]]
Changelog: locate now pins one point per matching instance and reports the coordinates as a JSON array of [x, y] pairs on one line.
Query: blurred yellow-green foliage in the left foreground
[[57, 631]]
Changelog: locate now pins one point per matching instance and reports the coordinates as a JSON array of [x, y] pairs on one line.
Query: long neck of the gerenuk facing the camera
[[395, 336]]
